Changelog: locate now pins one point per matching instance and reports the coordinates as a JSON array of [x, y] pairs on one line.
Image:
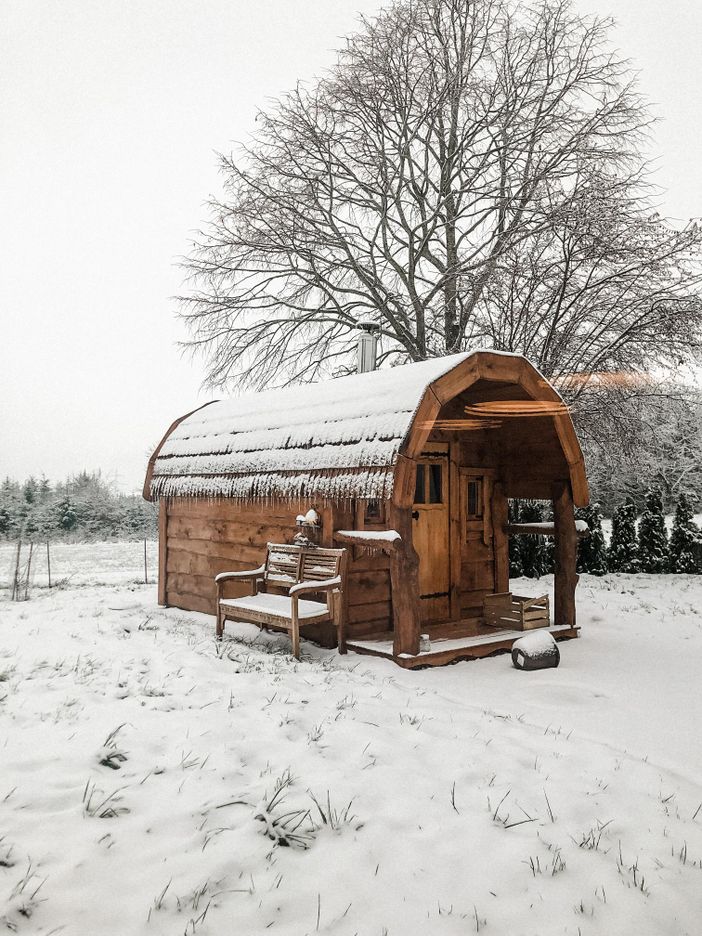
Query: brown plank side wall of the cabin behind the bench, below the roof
[[200, 538]]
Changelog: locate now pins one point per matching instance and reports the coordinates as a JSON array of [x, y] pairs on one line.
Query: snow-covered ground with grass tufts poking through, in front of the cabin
[[139, 764]]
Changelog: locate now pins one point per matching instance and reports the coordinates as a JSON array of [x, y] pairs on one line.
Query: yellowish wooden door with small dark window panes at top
[[430, 532]]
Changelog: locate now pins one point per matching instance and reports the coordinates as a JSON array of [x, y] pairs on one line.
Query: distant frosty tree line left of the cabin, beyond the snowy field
[[83, 507]]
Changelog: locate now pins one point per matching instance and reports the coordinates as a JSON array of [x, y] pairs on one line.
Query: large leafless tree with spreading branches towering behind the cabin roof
[[469, 174]]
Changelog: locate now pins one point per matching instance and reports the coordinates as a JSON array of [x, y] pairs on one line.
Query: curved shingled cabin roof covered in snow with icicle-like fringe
[[336, 439]]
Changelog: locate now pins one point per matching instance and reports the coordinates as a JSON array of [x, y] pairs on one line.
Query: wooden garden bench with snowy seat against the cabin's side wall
[[297, 571]]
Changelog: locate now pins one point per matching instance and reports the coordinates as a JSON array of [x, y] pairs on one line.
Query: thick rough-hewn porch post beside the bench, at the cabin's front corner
[[404, 579]]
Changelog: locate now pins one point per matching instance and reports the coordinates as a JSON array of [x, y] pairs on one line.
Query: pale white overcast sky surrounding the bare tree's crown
[[110, 113]]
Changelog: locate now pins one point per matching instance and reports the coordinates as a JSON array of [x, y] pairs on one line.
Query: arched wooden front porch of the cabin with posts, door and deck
[[491, 431]]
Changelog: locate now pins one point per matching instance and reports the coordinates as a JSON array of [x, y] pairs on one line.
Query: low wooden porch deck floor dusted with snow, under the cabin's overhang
[[460, 640]]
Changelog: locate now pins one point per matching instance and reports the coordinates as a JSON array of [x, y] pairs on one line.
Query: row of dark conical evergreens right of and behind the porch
[[633, 547]]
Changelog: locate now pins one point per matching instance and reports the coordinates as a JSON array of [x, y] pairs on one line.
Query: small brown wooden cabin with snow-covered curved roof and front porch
[[410, 468]]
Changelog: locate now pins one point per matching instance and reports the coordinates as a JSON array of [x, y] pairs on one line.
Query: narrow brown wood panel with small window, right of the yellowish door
[[477, 539]]
